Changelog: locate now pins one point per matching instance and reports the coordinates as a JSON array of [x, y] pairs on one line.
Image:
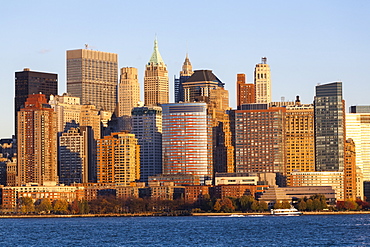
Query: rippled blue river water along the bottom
[[306, 230]]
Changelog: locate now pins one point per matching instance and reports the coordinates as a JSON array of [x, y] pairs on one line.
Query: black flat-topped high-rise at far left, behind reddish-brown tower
[[31, 82]]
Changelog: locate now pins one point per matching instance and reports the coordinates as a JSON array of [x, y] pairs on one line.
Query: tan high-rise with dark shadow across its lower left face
[[76, 157]]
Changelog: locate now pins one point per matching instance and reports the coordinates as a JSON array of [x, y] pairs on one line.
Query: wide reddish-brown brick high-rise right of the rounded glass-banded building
[[259, 140]]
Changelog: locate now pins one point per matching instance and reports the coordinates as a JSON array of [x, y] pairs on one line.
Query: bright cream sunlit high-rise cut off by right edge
[[358, 129]]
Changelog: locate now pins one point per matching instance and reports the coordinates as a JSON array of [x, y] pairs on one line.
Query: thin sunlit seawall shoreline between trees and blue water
[[161, 215]]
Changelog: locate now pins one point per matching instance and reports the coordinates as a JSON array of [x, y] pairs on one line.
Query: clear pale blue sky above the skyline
[[305, 42]]
